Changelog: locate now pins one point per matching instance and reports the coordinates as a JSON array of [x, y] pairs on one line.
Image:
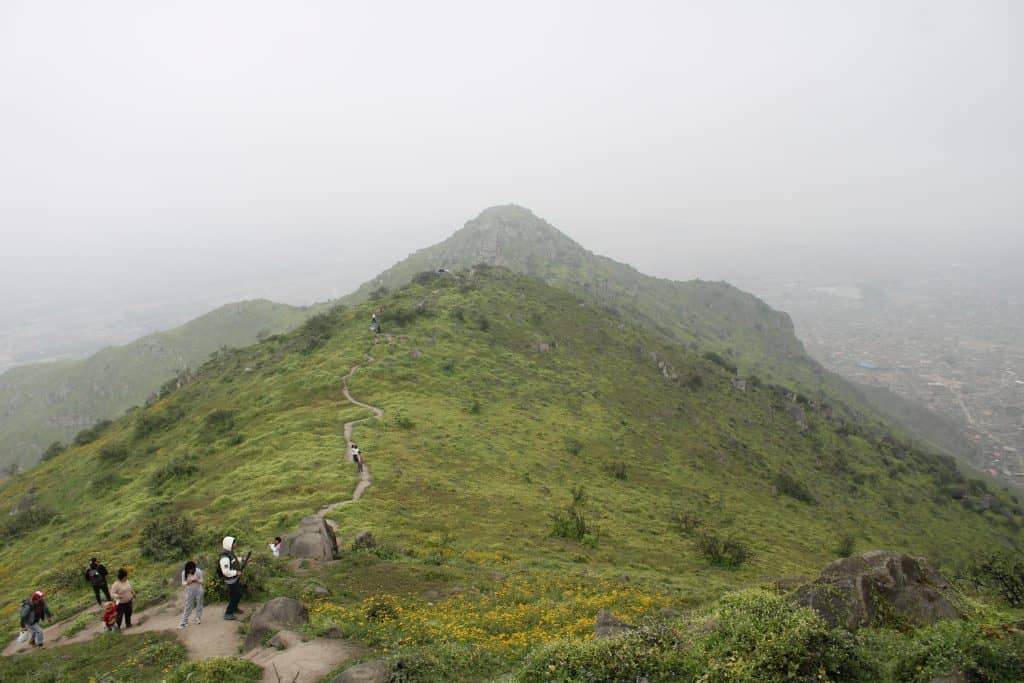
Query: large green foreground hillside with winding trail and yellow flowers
[[540, 458]]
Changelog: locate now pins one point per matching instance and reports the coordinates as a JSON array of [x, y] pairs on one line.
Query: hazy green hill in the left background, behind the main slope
[[48, 403]]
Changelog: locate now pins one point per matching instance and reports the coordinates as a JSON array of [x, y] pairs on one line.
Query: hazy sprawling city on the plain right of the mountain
[[950, 337]]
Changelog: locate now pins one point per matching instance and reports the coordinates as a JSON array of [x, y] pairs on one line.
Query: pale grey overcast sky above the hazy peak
[[149, 148]]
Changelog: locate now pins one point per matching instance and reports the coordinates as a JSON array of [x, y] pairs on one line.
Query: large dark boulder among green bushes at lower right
[[879, 588]]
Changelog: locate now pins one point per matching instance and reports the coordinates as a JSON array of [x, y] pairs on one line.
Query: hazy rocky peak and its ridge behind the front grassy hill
[[714, 318]]
